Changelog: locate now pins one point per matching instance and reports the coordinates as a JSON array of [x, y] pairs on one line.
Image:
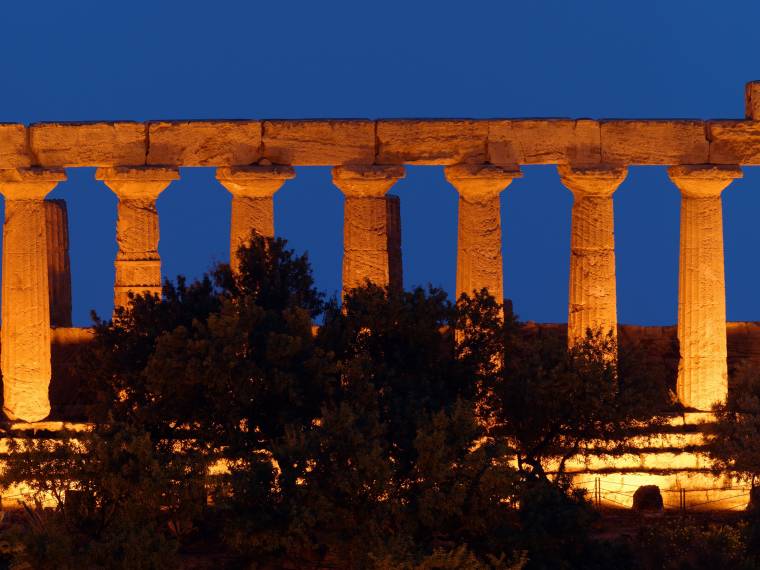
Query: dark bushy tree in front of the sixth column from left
[[548, 402]]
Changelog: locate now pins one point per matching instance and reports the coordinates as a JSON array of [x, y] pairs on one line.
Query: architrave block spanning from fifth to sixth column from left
[[544, 141]]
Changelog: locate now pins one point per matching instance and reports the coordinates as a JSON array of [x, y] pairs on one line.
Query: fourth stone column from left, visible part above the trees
[[366, 227]]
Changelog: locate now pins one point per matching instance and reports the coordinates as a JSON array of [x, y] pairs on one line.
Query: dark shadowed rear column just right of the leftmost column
[[59, 266]]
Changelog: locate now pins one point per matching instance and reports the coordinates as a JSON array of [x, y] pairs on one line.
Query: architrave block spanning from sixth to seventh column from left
[[654, 142]]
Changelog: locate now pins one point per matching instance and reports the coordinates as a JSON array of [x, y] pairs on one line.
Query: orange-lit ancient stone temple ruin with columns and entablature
[[481, 158]]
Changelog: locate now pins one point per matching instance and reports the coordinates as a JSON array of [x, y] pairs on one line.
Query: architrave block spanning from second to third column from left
[[204, 143]]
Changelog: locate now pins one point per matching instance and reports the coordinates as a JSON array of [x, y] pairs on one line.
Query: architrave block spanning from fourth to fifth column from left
[[432, 141]]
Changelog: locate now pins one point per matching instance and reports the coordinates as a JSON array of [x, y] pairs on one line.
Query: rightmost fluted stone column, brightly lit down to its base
[[702, 371]]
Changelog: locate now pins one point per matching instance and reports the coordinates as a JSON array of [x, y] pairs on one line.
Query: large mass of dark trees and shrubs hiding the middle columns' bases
[[406, 432]]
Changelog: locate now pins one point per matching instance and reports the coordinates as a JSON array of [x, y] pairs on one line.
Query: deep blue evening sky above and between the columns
[[142, 60]]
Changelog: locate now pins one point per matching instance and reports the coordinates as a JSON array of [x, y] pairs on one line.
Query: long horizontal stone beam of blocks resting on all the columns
[[503, 142]]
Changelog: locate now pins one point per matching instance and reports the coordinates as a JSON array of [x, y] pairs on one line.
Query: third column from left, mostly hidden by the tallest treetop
[[252, 189]]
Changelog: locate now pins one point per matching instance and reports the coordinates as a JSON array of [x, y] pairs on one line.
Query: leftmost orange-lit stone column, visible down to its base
[[25, 359]]
